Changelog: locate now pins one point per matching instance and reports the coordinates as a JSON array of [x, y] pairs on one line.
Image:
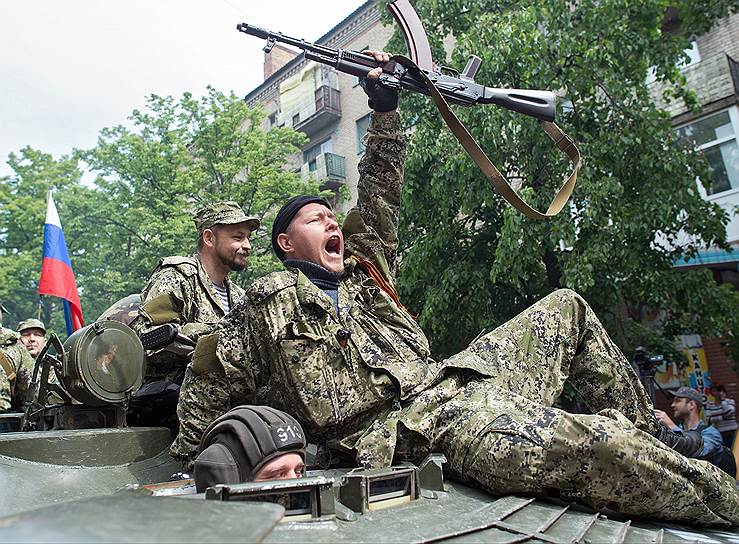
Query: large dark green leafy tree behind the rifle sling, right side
[[636, 207]]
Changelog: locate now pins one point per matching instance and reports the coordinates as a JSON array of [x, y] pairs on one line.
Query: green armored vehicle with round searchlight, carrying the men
[[74, 472]]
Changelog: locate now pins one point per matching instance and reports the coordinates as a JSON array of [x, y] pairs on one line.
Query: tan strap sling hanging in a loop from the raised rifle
[[501, 184]]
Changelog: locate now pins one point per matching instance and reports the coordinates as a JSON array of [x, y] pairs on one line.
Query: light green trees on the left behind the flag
[[147, 178]]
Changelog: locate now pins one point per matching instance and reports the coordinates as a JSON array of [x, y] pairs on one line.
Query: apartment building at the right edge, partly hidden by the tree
[[713, 74]]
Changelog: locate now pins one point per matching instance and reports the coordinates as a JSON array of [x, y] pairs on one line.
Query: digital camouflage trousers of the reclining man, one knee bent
[[502, 432]]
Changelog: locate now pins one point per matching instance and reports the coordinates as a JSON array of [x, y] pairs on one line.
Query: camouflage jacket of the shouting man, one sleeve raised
[[287, 347]]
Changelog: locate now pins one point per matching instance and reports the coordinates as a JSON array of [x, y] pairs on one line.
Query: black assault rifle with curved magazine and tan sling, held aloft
[[420, 74]]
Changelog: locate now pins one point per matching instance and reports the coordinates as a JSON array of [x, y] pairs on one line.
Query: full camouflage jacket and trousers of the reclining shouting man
[[382, 397]]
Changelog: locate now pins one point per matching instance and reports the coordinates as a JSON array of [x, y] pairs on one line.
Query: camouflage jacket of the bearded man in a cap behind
[[186, 279]]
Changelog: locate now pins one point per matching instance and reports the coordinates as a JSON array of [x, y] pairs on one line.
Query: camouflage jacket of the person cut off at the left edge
[[13, 388]]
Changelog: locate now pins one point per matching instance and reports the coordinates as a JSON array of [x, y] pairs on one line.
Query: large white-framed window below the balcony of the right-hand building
[[715, 135]]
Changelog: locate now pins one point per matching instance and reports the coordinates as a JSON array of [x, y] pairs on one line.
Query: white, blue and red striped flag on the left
[[57, 278]]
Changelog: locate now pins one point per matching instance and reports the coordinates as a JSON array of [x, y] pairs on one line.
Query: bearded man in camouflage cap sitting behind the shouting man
[[195, 292]]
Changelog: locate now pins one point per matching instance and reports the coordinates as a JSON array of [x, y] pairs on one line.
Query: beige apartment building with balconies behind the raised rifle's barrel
[[328, 106]]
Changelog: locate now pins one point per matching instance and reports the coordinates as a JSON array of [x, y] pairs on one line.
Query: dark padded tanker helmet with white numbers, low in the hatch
[[240, 442]]
